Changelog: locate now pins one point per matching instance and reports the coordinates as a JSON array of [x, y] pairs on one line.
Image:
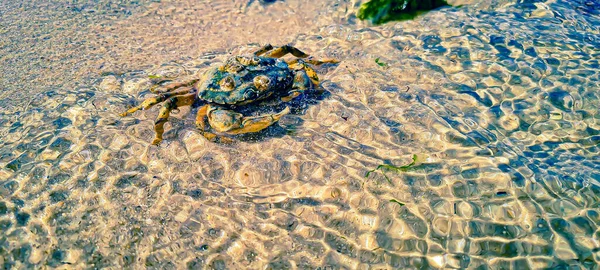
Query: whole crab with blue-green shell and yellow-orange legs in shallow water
[[241, 80]]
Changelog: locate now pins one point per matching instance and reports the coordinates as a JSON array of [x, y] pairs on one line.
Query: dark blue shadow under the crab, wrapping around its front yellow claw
[[298, 106]]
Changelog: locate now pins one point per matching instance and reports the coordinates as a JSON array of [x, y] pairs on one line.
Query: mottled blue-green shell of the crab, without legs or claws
[[235, 82]]
